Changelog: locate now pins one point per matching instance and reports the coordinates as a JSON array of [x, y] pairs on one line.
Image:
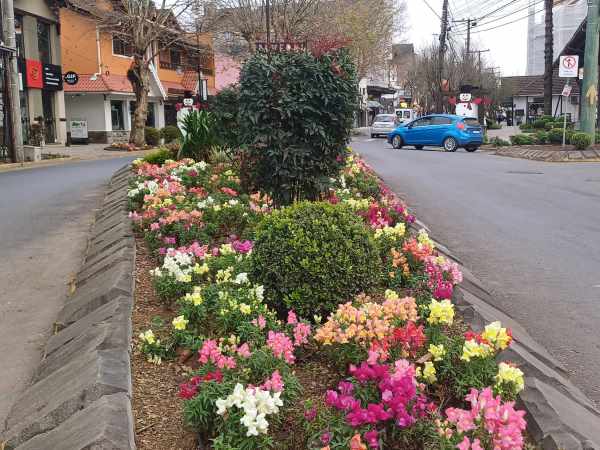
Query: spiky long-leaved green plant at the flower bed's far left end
[[200, 137]]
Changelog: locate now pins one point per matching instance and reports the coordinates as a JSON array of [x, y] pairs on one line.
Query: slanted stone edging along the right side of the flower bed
[[559, 415]]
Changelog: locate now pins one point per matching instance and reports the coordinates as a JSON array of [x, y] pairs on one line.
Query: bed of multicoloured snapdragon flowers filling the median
[[390, 368]]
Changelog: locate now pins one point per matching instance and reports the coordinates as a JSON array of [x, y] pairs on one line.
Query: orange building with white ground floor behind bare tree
[[103, 98]]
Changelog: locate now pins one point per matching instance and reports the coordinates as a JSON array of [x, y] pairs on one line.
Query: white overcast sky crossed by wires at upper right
[[507, 44]]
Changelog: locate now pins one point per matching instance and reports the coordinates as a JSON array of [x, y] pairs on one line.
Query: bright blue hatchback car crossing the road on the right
[[439, 130]]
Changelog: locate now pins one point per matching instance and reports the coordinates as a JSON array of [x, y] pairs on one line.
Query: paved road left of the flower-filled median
[[45, 217]]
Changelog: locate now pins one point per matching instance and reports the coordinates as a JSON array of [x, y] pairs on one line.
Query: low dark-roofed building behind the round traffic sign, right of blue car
[[525, 99]]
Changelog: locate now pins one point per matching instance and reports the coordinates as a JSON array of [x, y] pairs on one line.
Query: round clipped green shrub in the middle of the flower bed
[[313, 256]]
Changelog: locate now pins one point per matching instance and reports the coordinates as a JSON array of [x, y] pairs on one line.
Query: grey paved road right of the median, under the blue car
[[529, 230]]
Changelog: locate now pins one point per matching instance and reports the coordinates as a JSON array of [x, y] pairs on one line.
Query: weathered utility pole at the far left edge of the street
[[14, 108]]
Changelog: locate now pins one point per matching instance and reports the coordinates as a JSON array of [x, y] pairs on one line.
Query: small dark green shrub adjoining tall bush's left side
[[225, 106]]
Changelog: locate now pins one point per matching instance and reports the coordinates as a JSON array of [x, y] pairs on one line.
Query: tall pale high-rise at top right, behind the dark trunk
[[566, 17]]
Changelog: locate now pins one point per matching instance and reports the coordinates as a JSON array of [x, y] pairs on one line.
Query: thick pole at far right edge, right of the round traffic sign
[[590, 71]]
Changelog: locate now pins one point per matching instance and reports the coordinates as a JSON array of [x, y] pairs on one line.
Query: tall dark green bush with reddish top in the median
[[296, 115]]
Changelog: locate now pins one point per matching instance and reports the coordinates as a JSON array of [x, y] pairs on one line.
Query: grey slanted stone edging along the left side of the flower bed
[[80, 395]]
